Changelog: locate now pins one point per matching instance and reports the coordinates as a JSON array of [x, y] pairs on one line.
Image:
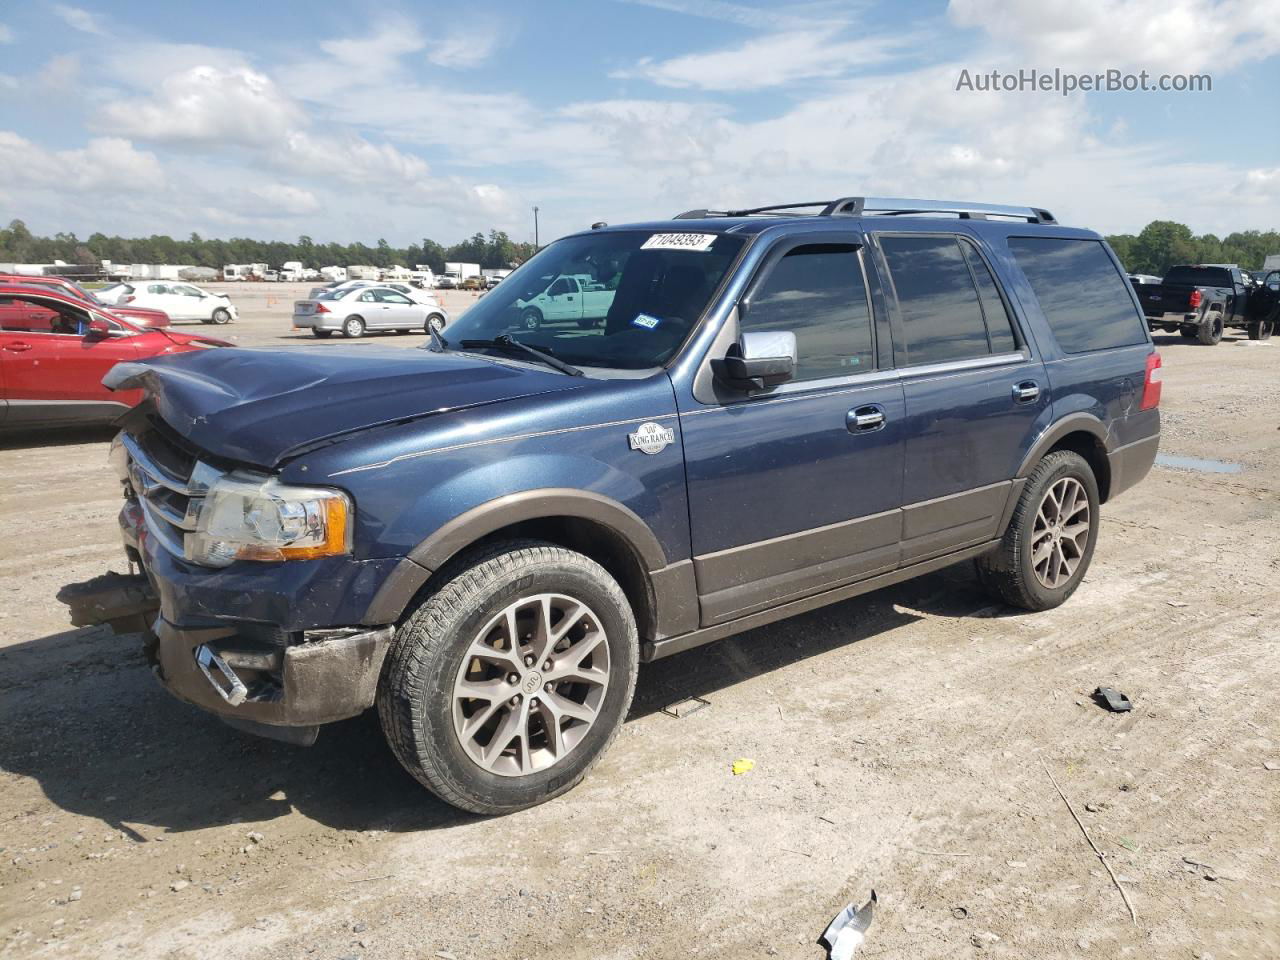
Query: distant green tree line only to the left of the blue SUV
[[20, 245]]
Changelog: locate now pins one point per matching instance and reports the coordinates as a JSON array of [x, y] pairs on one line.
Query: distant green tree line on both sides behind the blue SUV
[[1160, 245]]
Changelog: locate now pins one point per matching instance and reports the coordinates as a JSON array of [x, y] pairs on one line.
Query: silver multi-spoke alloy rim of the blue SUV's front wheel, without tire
[[532, 685]]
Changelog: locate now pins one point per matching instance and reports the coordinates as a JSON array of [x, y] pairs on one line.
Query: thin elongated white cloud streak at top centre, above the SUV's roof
[[771, 62]]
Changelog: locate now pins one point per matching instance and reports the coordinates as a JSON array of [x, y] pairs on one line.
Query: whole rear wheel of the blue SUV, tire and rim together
[[1014, 572]]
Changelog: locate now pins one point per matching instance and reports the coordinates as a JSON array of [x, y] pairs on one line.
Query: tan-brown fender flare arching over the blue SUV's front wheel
[[465, 529]]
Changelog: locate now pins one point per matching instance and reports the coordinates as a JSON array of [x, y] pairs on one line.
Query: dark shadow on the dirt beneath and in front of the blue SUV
[[85, 719]]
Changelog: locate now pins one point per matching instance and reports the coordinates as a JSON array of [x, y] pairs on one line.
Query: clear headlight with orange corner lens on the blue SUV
[[245, 518]]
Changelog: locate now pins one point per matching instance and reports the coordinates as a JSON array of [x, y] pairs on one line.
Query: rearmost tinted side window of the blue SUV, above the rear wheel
[[1082, 295]]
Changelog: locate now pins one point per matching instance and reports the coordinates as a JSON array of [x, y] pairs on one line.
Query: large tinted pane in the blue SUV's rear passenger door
[[941, 316]]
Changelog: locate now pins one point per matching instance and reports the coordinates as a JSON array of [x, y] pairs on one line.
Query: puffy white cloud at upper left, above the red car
[[208, 106]]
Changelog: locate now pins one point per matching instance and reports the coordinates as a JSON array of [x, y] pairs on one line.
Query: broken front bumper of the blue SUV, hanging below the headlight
[[269, 676]]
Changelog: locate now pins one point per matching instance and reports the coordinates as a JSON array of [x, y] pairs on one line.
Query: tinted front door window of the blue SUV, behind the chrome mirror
[[817, 292]]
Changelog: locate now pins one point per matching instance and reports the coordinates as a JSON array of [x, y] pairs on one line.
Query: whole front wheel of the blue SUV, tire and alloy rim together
[[433, 653]]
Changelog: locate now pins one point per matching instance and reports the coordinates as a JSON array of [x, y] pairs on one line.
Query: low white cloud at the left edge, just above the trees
[[104, 163]]
